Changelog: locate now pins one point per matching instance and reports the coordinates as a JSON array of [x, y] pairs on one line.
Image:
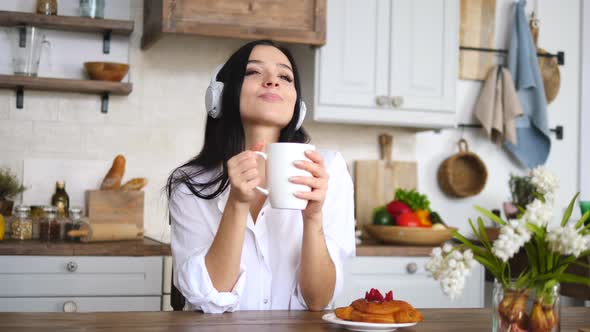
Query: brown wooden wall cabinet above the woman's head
[[300, 21]]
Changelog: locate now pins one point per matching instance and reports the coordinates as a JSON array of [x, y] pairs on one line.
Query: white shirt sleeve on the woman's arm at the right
[[338, 212]]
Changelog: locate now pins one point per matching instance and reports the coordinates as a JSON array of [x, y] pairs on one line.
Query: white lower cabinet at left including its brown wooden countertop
[[84, 277]]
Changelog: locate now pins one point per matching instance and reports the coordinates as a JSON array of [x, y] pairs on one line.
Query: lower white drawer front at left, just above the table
[[79, 304]]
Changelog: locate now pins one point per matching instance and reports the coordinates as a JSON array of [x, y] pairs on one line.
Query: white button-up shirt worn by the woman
[[271, 251]]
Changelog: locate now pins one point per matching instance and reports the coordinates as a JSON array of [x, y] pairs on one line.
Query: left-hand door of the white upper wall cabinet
[[353, 65]]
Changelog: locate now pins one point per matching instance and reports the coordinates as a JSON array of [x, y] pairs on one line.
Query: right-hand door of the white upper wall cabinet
[[424, 54]]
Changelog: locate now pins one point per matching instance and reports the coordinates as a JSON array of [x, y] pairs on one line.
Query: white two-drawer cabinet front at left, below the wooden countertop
[[62, 283]]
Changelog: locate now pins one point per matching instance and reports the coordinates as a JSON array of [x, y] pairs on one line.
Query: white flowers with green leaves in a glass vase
[[529, 302]]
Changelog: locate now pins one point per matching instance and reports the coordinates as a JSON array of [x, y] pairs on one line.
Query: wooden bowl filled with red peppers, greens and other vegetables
[[409, 220]]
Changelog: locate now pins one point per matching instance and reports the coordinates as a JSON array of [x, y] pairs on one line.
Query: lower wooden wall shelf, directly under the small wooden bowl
[[64, 85]]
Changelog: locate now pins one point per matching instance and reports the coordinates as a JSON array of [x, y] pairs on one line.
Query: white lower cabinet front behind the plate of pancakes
[[408, 280]]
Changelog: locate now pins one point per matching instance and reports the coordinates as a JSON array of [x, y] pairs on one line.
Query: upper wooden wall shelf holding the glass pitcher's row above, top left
[[66, 23]]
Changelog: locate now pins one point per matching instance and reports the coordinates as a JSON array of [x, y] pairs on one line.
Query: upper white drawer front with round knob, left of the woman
[[79, 276]]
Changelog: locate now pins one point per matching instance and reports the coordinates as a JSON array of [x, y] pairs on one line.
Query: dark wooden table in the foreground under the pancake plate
[[440, 320]]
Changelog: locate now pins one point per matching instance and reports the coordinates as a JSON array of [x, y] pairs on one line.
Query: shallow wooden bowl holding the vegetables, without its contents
[[410, 235]]
